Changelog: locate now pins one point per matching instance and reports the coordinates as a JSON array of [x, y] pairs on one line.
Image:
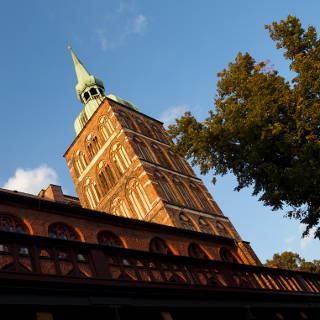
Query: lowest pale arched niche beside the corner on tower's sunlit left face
[[138, 198]]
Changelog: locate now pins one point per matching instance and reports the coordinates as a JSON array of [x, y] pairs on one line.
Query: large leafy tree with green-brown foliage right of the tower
[[265, 129]]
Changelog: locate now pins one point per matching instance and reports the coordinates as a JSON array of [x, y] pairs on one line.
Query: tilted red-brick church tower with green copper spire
[[121, 163]]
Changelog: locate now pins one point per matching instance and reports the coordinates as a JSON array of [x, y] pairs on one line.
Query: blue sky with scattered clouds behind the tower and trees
[[161, 55]]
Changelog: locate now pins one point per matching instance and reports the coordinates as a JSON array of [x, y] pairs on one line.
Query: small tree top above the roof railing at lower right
[[292, 261]]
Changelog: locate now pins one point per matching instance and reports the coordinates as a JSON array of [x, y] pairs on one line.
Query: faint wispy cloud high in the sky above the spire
[[116, 31]]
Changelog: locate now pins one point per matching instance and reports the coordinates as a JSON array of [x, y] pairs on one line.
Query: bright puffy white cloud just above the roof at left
[[32, 180]]
